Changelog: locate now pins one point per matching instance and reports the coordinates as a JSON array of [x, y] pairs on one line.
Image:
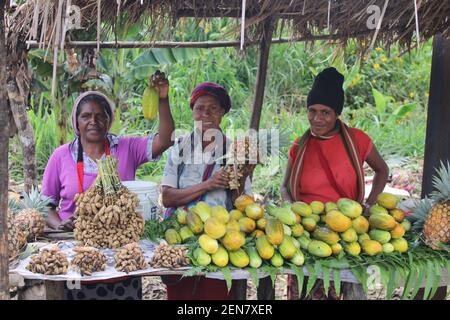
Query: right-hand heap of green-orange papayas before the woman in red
[[335, 227]]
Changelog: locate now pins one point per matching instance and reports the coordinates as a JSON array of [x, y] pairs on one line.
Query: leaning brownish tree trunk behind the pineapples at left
[[25, 131]]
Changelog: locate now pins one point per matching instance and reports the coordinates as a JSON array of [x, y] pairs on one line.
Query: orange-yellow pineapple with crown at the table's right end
[[432, 217]]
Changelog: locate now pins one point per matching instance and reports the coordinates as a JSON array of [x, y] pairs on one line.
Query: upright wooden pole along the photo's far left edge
[[4, 178]]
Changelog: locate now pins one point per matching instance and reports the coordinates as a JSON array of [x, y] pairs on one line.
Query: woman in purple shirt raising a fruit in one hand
[[72, 167]]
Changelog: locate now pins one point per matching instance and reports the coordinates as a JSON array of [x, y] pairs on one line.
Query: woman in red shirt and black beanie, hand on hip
[[326, 163]]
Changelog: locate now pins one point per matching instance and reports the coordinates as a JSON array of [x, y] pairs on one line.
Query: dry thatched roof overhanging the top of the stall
[[339, 19]]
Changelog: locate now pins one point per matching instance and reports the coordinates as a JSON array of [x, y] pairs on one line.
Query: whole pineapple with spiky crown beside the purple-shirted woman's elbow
[[31, 217]]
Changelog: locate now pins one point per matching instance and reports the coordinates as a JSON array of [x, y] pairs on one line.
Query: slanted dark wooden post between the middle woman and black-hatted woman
[[264, 48]]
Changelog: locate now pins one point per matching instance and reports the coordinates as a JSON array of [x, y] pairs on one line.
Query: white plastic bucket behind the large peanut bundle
[[148, 195]]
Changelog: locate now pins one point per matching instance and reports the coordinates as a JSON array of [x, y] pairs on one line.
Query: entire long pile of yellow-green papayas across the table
[[251, 234]]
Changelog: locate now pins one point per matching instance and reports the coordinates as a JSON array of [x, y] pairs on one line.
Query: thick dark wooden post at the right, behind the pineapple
[[437, 143]]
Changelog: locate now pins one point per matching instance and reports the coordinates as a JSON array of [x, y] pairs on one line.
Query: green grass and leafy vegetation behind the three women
[[386, 95]]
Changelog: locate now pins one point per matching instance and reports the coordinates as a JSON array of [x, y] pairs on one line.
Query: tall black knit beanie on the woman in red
[[327, 90]]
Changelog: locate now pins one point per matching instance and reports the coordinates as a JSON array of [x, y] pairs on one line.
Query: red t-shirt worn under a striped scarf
[[314, 184]]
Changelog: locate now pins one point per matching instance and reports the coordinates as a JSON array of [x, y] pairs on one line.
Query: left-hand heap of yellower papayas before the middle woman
[[245, 236]]
